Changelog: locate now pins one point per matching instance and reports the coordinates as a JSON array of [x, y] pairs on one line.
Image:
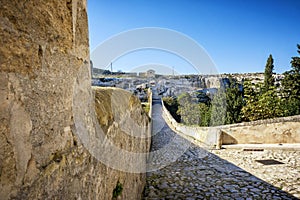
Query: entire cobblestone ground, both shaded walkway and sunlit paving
[[201, 174]]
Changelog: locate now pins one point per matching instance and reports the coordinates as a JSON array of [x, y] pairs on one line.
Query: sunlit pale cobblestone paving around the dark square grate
[[285, 176]]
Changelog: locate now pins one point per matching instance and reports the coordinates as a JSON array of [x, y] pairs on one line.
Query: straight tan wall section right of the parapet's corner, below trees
[[270, 131]]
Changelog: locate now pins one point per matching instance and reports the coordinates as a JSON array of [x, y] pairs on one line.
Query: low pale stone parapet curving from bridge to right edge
[[270, 131]]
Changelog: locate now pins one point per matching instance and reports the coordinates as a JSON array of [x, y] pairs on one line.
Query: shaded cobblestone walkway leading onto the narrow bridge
[[198, 173]]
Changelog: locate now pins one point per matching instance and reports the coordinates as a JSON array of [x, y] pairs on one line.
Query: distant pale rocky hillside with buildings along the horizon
[[173, 85]]
